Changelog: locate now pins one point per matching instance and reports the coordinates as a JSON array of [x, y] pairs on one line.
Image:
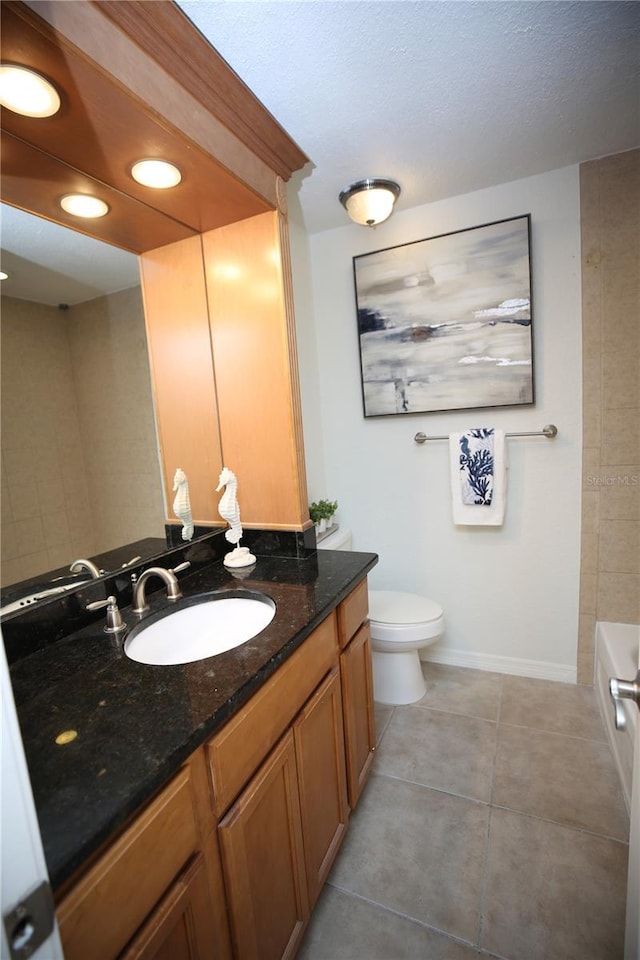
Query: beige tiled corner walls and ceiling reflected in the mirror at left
[[80, 465]]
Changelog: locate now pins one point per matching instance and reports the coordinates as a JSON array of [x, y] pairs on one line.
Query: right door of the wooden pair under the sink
[[319, 739]]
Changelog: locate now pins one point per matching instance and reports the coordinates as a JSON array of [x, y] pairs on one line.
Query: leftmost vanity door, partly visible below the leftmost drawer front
[[180, 928]]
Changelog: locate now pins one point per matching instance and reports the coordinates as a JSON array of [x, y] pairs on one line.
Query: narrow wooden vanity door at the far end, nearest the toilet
[[357, 704]]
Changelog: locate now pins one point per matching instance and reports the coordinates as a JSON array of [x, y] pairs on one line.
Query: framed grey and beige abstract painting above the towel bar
[[445, 323]]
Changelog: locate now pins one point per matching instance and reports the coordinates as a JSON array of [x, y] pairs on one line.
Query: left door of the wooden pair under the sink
[[263, 861]]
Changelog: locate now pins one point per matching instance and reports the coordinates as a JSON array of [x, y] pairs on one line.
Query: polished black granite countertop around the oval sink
[[136, 724]]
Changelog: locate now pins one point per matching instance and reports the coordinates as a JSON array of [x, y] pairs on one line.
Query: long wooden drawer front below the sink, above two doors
[[240, 747]]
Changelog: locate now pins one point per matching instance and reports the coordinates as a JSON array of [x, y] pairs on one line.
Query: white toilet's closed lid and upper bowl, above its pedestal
[[398, 617]]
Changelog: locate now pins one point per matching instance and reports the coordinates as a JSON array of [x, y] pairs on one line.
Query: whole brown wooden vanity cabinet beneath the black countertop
[[228, 860]]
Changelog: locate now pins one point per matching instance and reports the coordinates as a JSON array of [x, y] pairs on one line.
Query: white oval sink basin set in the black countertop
[[200, 628]]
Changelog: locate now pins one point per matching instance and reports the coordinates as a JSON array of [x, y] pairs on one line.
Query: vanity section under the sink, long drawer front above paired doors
[[279, 837]]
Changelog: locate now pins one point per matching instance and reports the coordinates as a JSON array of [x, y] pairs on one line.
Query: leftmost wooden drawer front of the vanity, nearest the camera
[[106, 907]]
